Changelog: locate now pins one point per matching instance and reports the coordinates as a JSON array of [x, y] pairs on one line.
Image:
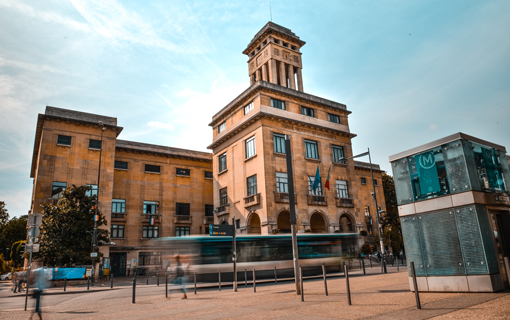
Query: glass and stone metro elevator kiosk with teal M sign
[[455, 213]]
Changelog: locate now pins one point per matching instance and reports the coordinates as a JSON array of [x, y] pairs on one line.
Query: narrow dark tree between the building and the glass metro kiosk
[[392, 232]]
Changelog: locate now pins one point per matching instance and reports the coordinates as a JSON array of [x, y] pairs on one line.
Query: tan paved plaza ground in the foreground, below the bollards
[[381, 296]]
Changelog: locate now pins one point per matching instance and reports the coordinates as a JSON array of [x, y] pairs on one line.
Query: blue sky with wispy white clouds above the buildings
[[410, 71]]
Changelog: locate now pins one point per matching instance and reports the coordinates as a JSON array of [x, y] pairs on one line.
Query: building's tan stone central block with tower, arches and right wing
[[249, 165]]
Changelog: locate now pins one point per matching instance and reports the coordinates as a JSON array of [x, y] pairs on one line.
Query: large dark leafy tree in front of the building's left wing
[[64, 240]]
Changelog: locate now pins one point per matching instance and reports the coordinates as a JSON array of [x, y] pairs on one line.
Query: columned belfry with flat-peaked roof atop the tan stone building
[[274, 56]]
